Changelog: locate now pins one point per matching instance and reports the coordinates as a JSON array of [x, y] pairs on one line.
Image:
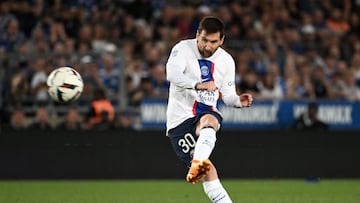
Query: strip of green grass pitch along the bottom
[[178, 191]]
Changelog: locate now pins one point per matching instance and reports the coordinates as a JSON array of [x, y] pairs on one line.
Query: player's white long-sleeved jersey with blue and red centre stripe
[[185, 67]]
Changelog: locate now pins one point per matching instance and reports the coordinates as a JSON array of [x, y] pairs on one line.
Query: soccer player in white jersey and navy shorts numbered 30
[[200, 73]]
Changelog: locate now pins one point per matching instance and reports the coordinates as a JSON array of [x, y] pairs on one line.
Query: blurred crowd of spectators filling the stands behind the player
[[283, 49]]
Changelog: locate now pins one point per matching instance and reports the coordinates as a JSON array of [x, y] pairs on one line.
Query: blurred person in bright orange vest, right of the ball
[[101, 113]]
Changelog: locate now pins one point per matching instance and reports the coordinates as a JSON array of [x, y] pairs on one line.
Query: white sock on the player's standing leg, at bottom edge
[[216, 192]]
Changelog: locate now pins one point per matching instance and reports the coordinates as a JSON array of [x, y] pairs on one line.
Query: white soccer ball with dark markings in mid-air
[[65, 84]]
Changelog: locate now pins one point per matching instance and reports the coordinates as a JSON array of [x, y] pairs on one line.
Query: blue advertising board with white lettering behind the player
[[265, 114]]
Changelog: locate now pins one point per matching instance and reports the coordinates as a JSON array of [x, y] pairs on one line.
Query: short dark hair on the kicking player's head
[[211, 25]]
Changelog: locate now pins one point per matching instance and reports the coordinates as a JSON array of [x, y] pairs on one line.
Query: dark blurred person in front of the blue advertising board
[[309, 120]]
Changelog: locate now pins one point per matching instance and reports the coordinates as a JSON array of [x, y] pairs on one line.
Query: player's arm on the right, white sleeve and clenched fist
[[228, 89]]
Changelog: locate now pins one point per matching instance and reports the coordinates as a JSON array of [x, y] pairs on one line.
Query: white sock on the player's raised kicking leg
[[205, 144]]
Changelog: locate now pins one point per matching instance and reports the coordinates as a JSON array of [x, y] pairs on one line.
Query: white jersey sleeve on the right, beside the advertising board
[[228, 90]]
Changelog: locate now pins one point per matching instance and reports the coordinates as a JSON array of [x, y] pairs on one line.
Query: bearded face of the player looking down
[[208, 43]]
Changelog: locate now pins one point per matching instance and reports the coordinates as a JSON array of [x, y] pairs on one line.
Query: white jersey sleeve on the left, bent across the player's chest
[[175, 68]]
